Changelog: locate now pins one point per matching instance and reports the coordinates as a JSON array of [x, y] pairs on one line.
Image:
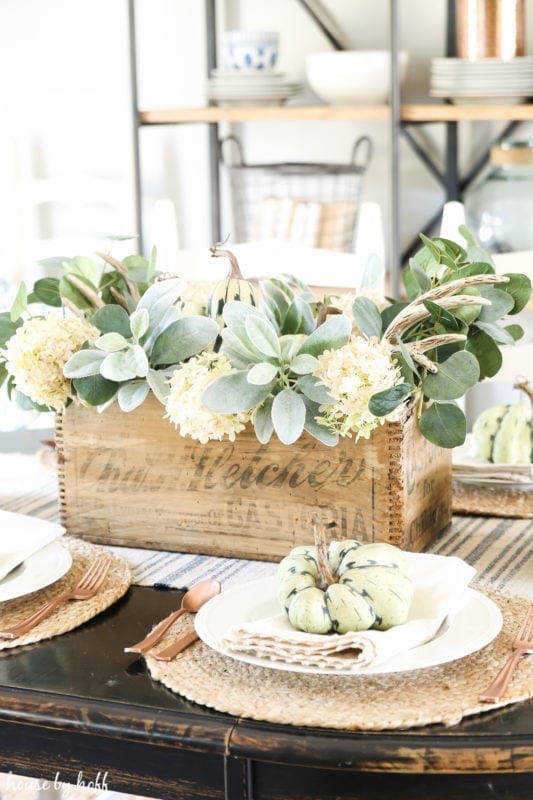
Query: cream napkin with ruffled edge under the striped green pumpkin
[[438, 583]]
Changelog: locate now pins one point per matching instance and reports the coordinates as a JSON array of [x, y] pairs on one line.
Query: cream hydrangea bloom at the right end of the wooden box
[[352, 374]]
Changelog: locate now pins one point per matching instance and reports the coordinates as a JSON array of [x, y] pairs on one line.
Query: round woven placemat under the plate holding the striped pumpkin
[[443, 694]]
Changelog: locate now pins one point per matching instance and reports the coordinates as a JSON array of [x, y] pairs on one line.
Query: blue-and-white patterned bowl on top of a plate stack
[[249, 51]]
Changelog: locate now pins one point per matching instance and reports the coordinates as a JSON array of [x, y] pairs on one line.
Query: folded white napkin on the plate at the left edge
[[21, 536]]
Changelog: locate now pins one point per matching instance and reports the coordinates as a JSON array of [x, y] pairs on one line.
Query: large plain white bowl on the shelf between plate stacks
[[352, 77]]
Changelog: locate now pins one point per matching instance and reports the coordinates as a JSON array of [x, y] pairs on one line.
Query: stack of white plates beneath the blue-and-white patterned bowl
[[250, 88]]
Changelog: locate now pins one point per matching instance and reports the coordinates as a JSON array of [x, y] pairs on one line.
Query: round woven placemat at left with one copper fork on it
[[72, 614]]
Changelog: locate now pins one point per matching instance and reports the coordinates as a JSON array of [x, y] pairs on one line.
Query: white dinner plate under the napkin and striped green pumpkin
[[475, 621]]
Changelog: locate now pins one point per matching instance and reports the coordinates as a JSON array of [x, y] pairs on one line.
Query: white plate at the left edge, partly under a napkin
[[39, 570]]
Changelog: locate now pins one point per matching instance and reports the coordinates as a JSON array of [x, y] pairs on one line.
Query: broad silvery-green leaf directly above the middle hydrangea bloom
[[185, 337]]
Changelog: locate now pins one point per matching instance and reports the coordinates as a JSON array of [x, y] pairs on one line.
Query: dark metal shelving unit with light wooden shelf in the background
[[400, 116]]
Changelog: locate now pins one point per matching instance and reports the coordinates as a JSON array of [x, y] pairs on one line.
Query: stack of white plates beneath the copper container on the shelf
[[489, 80]]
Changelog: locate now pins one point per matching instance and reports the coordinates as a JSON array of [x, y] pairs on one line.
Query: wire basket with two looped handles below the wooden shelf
[[314, 205]]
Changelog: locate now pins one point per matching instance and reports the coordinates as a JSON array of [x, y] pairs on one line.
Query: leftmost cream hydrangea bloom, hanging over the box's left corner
[[36, 354]]
